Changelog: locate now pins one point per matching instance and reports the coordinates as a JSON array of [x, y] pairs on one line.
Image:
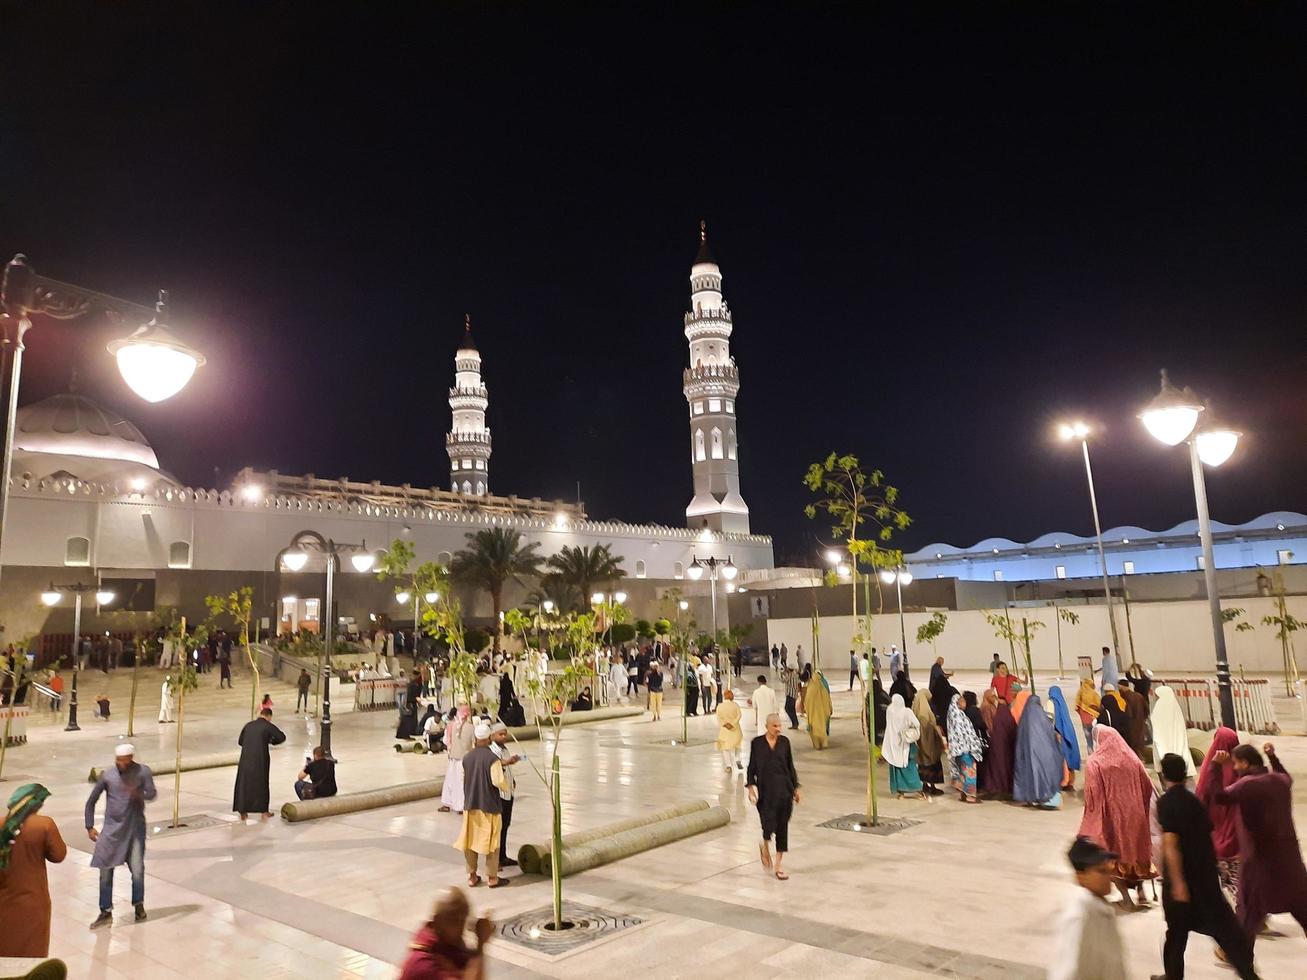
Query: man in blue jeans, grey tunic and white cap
[[127, 787]]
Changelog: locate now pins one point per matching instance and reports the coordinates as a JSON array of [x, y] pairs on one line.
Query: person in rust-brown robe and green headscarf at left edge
[[28, 840]]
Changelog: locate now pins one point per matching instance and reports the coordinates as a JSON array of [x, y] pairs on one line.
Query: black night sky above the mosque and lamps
[[938, 237]]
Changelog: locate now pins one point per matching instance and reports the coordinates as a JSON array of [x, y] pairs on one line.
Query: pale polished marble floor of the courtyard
[[965, 893]]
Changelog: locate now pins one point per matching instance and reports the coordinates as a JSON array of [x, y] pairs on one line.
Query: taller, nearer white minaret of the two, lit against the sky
[[712, 384]]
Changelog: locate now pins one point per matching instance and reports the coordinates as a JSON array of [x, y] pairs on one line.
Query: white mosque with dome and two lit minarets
[[92, 502]]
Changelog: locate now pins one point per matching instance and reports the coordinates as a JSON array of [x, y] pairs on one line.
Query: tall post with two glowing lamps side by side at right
[[1173, 417]]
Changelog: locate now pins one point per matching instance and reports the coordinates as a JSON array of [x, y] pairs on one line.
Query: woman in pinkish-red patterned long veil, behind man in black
[[1118, 795]]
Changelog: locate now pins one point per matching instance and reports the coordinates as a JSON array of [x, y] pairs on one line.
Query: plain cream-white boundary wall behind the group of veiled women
[[1168, 637]]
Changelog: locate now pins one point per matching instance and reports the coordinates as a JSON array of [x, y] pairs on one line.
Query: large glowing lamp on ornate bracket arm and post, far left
[[154, 363]]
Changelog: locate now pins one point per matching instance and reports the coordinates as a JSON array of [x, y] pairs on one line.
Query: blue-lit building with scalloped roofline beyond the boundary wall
[[1271, 540]]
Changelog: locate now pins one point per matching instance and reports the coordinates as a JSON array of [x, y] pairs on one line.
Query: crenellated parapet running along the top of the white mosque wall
[[355, 500]]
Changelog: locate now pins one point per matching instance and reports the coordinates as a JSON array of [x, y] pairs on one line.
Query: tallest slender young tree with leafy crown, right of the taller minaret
[[865, 515]]
